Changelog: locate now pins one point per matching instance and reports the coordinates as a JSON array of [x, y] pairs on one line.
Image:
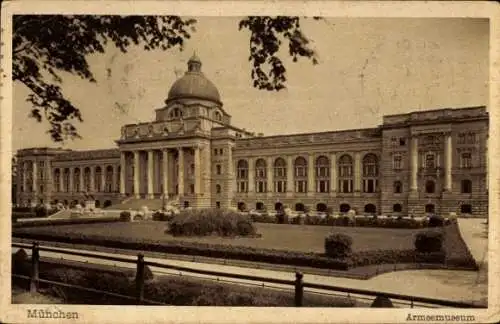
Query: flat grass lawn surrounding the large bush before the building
[[300, 238]]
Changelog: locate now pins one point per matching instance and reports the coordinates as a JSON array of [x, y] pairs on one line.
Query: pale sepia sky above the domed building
[[368, 67]]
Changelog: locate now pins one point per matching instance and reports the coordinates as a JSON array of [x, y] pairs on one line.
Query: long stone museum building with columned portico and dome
[[416, 163]]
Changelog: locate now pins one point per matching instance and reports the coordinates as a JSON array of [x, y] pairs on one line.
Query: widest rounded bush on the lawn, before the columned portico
[[202, 222]]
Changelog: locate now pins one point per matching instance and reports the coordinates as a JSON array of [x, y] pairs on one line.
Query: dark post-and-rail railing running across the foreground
[[298, 284]]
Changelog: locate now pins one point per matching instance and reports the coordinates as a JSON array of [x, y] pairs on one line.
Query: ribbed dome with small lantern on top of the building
[[194, 85]]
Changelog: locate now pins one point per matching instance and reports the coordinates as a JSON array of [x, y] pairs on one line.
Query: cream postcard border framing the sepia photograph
[[133, 314]]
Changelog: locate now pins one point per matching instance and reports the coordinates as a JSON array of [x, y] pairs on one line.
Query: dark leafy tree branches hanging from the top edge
[[45, 45]]
